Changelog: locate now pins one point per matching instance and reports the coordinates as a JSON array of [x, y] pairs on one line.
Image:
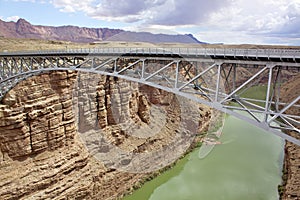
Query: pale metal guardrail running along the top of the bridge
[[232, 52]]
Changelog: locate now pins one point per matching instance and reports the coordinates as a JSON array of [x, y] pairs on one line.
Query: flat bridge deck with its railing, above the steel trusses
[[287, 55]]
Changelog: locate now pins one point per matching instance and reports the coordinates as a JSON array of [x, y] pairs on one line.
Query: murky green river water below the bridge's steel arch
[[247, 165]]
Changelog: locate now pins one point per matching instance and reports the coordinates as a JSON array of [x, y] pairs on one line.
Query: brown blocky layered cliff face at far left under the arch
[[37, 115]]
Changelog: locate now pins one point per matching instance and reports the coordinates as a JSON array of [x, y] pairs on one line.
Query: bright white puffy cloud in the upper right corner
[[257, 16]]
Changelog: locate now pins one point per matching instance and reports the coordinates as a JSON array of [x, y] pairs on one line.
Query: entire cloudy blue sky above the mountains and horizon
[[212, 21]]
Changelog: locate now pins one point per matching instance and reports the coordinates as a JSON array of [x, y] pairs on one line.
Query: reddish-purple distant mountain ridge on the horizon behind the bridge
[[24, 29]]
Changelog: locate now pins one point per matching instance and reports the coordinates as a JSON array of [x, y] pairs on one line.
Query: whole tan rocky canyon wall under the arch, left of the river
[[51, 126]]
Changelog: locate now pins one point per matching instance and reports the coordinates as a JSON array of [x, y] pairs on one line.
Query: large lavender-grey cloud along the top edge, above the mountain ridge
[[155, 12]]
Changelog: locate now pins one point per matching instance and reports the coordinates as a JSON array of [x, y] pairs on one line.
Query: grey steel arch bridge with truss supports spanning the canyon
[[218, 78]]
